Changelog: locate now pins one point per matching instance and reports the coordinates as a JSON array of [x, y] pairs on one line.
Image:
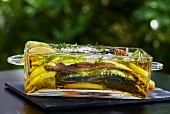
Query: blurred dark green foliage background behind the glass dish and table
[[133, 23]]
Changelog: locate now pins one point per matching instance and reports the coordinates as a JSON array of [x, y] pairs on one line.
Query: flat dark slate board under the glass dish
[[55, 103]]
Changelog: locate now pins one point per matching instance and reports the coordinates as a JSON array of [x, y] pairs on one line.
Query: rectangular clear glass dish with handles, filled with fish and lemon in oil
[[85, 71]]
